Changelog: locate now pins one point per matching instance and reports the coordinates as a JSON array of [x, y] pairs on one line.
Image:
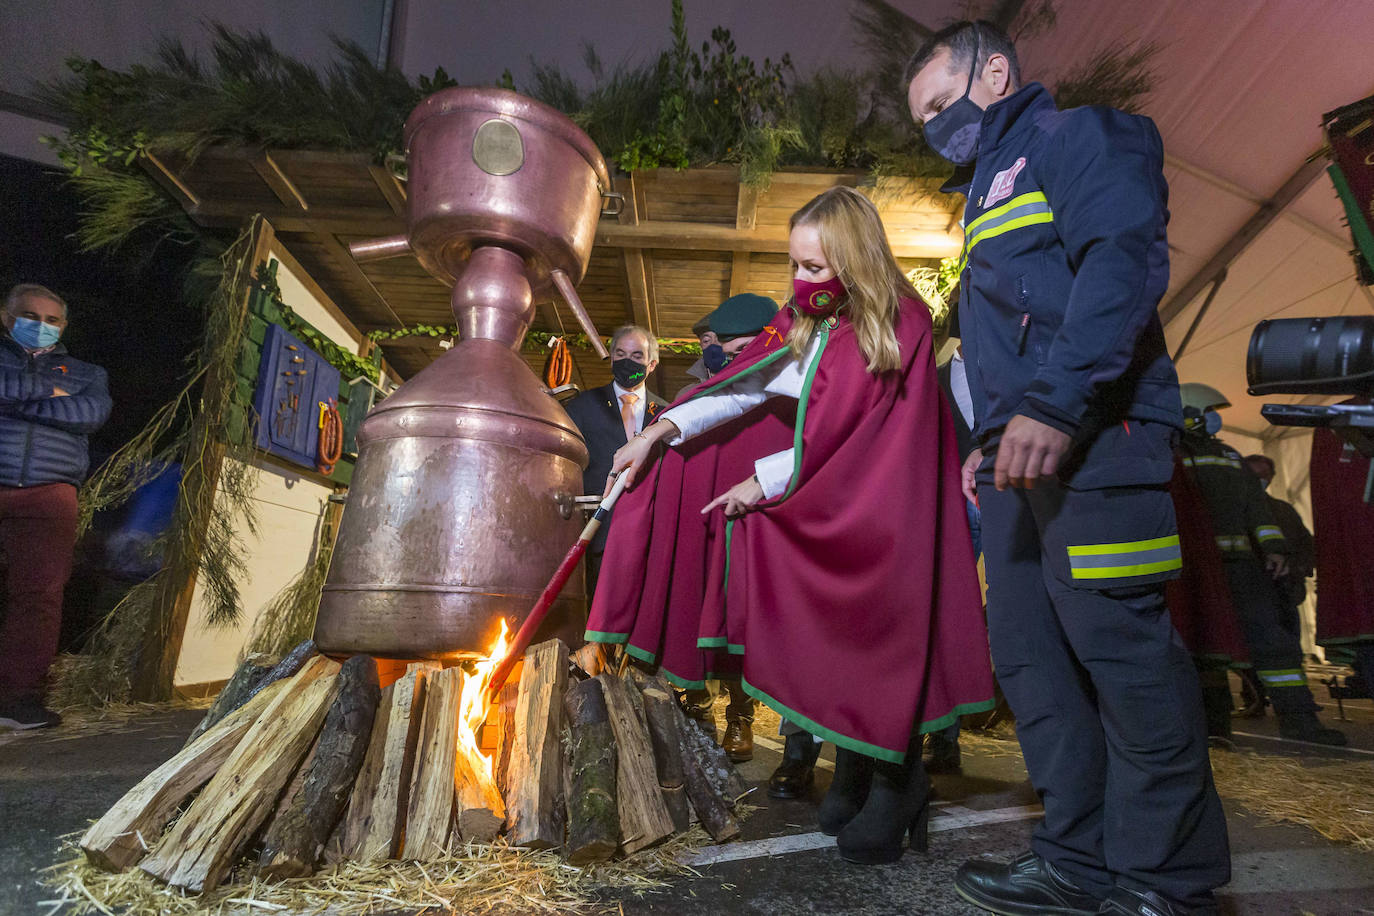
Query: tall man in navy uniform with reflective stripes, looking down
[[1078, 407]]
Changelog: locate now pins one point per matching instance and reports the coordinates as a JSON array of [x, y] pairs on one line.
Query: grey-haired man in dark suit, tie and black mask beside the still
[[609, 415]]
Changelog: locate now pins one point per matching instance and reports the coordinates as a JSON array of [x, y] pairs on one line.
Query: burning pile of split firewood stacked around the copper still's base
[[311, 763]]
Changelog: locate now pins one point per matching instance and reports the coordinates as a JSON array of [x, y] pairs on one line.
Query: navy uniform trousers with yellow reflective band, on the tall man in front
[[1107, 700]]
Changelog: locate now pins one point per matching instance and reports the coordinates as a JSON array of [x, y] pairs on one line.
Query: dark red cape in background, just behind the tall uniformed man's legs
[[1200, 599]]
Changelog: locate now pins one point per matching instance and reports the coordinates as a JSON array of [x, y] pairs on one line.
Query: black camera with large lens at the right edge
[[1317, 356]]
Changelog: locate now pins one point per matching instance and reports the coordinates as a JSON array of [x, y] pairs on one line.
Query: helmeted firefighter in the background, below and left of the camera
[[1255, 556]]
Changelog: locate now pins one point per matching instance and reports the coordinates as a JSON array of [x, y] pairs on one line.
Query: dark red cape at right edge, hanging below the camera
[[1343, 524]]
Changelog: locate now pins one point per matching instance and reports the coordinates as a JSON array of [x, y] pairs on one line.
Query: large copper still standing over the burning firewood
[[462, 501]]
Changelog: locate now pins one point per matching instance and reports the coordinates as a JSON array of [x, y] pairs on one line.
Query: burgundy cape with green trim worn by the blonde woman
[[853, 601]]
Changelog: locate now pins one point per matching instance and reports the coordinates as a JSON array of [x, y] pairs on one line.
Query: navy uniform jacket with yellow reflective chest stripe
[[1064, 266]]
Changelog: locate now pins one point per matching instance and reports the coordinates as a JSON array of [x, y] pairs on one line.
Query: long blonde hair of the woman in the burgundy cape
[[857, 247]]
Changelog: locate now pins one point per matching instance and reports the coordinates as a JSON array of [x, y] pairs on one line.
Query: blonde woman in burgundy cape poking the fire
[[804, 527]]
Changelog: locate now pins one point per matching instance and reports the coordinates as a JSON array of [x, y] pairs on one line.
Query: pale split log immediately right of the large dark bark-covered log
[[376, 821]]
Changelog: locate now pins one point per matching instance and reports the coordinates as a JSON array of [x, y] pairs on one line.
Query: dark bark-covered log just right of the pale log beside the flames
[[593, 821]]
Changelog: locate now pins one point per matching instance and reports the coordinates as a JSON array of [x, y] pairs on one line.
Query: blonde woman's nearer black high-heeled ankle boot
[[899, 803]]
